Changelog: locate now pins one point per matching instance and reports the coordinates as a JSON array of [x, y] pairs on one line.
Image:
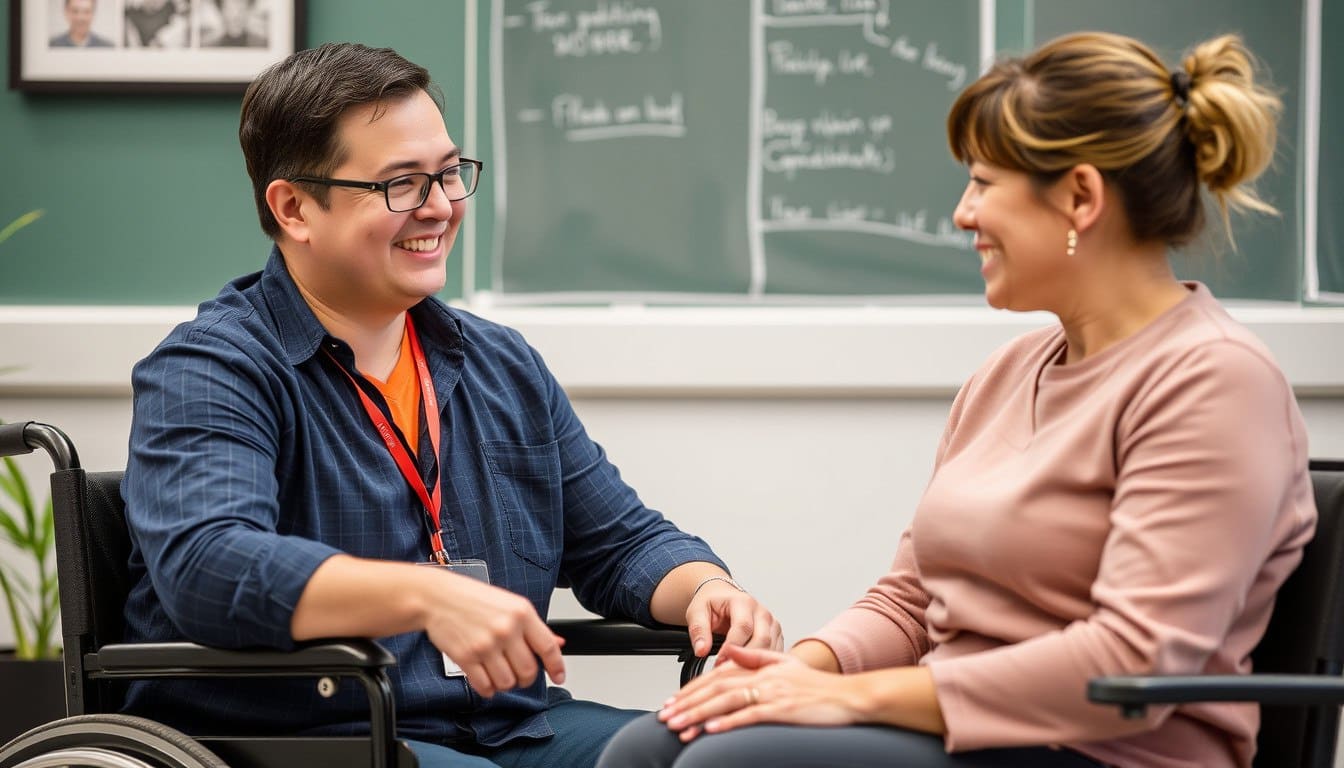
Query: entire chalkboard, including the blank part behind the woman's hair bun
[[794, 151]]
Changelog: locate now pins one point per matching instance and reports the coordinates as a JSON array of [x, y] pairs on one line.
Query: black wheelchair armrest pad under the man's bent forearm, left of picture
[[319, 657]]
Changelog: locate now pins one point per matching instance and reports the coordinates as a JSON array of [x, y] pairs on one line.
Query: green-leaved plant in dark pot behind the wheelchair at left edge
[[30, 594]]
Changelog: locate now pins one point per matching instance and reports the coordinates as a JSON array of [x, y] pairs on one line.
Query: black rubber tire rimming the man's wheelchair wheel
[[153, 743]]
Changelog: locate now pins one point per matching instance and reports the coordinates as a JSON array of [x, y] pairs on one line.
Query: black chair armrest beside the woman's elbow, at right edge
[[1134, 693]]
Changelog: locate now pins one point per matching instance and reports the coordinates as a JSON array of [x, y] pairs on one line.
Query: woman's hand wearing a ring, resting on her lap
[[752, 687]]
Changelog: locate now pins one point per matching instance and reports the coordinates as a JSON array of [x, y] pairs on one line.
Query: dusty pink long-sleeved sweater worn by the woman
[[1130, 514]]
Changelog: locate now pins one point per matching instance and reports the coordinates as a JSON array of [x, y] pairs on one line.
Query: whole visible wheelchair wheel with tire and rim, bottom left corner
[[107, 742]]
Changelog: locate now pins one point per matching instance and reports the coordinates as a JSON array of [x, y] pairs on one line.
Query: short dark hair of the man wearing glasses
[[291, 112]]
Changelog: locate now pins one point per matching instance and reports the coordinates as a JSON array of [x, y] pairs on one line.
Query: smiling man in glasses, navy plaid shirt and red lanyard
[[326, 424]]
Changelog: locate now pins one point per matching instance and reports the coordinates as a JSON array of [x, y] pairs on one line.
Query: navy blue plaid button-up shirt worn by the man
[[252, 462]]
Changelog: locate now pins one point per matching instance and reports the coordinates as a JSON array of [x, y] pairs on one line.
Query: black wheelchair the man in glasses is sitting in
[[93, 545]]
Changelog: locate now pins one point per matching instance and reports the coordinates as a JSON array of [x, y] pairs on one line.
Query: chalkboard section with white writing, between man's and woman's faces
[[728, 151]]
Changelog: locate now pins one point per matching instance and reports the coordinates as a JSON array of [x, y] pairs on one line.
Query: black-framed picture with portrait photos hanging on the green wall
[[149, 46]]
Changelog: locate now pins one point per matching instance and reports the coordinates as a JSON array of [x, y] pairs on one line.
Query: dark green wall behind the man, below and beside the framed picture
[[146, 197]]
